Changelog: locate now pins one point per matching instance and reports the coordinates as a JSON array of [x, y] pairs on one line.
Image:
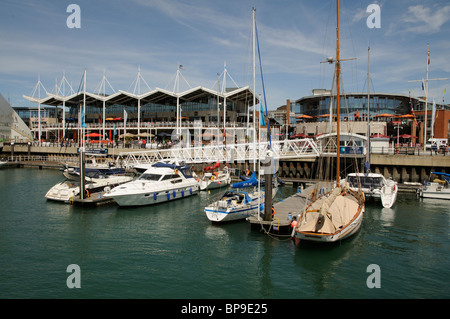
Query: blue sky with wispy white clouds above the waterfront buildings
[[116, 39]]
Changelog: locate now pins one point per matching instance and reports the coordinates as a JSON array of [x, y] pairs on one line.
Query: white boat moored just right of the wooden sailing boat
[[374, 186]]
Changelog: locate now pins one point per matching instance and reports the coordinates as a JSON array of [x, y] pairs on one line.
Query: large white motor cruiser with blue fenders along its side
[[163, 181]]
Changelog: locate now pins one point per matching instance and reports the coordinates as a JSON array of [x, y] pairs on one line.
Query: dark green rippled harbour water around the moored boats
[[171, 250]]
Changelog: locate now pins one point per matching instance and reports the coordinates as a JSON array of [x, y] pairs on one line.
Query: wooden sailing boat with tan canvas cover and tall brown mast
[[337, 214]]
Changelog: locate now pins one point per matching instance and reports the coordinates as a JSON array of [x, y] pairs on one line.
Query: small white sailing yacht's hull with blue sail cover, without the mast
[[236, 204]]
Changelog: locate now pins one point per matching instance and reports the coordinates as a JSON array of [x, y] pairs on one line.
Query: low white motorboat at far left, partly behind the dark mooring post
[[68, 189]]
